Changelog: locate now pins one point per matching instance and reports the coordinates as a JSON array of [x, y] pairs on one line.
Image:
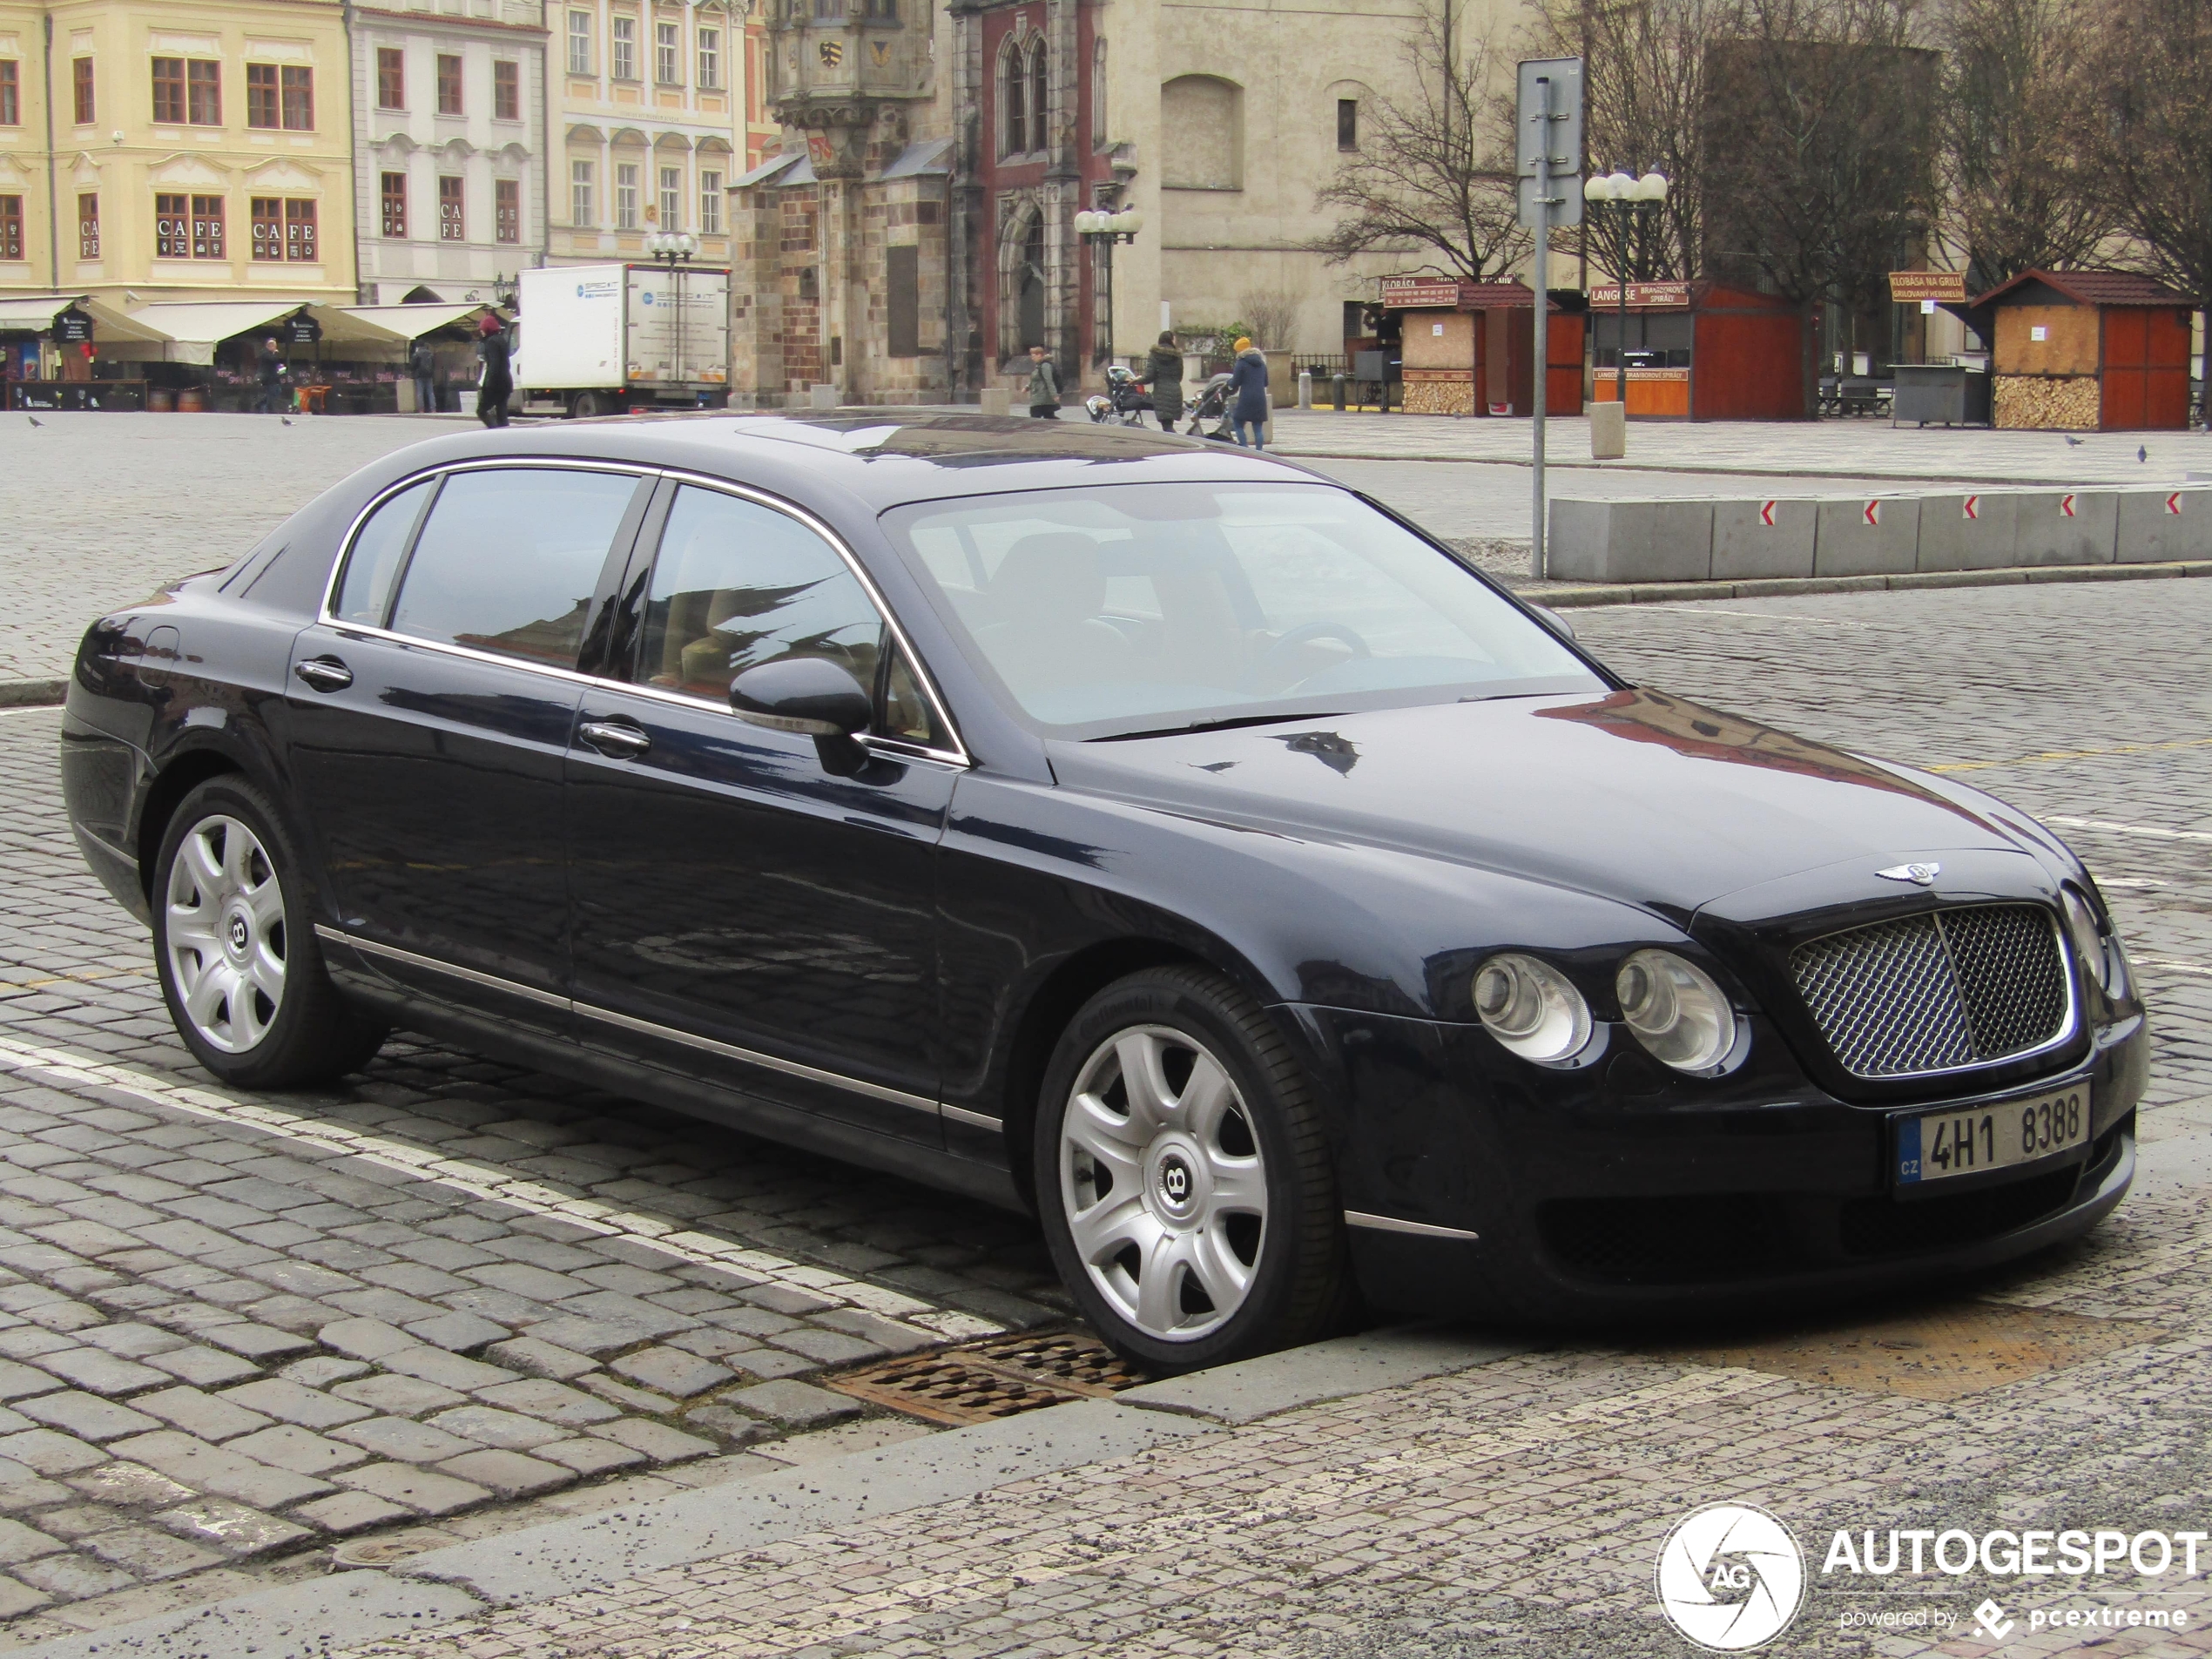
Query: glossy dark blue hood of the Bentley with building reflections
[[1636, 795]]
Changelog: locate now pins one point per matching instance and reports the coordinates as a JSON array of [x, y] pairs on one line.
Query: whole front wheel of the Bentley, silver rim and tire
[[1185, 1176]]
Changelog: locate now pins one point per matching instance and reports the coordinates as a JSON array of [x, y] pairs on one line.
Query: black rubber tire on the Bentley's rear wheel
[[306, 1034]]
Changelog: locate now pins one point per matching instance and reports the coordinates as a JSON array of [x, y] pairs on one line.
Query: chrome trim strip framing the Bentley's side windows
[[904, 749]]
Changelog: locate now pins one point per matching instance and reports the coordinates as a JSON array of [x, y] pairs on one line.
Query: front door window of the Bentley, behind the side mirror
[[740, 585]]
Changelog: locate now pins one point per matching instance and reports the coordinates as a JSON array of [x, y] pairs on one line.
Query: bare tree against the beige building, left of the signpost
[[1434, 174]]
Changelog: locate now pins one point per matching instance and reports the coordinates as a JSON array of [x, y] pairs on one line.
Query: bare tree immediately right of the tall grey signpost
[[1645, 109]]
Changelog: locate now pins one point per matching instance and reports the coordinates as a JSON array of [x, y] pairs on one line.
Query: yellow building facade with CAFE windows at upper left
[[160, 152]]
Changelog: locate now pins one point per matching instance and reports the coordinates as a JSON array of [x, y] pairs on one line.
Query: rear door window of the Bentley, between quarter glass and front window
[[510, 561]]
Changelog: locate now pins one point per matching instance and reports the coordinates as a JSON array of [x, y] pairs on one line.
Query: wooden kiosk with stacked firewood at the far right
[[2087, 351]]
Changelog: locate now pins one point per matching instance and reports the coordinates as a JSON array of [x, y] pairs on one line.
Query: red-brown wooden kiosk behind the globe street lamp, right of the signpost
[[1700, 353]]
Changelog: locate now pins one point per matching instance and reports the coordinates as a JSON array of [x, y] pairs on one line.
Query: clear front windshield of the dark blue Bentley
[[1131, 609]]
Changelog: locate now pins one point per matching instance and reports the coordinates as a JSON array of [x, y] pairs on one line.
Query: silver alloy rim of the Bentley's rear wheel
[[225, 930]]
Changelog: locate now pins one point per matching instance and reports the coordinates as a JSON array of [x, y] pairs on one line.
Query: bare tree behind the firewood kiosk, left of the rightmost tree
[[2018, 114]]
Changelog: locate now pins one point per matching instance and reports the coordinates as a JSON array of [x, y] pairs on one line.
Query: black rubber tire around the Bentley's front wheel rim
[[1300, 1282]]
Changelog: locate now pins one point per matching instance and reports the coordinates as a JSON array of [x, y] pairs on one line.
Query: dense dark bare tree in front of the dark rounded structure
[[1819, 152]]
